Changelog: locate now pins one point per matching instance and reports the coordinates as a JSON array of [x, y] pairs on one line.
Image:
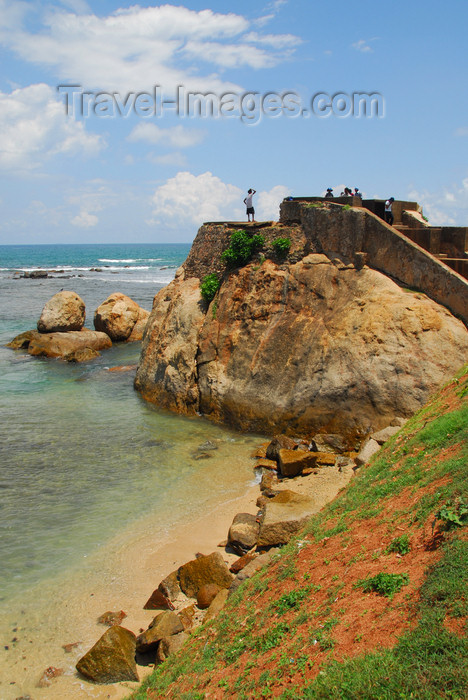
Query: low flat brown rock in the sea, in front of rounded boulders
[[63, 344]]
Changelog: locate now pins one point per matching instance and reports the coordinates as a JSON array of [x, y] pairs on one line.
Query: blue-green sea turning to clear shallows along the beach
[[82, 455]]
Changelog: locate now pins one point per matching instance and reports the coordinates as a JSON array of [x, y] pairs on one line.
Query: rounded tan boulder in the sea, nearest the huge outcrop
[[118, 315]]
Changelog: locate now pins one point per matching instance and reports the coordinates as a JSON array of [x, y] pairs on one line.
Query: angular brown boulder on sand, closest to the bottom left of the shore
[[112, 658]]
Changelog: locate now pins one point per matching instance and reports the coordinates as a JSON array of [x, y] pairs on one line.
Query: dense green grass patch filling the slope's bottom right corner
[[427, 663]]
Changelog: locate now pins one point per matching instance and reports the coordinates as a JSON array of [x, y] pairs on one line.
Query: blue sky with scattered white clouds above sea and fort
[[156, 178]]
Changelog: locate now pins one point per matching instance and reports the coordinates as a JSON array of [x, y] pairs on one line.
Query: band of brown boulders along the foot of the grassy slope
[[296, 479]]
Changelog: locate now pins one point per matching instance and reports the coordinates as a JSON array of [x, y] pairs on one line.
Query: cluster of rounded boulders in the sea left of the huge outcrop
[[61, 333]]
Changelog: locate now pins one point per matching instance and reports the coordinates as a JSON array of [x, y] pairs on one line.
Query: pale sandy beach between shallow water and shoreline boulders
[[121, 578]]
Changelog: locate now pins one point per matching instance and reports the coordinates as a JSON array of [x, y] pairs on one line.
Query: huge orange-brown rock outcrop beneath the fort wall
[[312, 344]]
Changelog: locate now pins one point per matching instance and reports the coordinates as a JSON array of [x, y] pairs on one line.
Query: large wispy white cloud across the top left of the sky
[[138, 47]]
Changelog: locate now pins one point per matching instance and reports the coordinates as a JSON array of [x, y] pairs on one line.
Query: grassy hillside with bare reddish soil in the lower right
[[369, 601]]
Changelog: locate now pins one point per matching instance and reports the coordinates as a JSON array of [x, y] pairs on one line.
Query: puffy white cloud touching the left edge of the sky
[[34, 127]]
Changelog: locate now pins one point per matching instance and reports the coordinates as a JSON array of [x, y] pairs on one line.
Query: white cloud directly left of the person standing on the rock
[[195, 199]]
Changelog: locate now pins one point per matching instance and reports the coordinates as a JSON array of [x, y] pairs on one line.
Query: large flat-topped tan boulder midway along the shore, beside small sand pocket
[[282, 520]]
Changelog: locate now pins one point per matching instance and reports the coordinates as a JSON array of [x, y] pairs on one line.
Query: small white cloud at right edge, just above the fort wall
[[448, 207]]
